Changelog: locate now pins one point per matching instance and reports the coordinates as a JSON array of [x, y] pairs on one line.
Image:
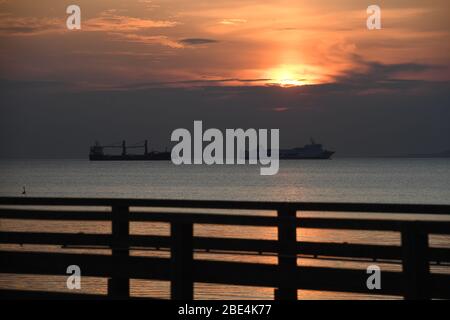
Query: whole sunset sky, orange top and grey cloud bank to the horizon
[[139, 69]]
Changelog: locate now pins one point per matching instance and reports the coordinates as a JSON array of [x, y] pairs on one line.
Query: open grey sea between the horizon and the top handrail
[[354, 180]]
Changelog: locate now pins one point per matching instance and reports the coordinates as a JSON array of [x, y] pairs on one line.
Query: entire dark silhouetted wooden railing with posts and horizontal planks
[[182, 270]]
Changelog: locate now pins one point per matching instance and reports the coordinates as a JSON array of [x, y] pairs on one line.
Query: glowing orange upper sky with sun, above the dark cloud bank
[[271, 42]]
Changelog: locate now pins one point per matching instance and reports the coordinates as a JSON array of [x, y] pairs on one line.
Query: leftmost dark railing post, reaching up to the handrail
[[119, 284]]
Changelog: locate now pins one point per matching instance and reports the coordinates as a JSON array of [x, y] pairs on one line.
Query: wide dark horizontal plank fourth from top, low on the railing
[[232, 273]]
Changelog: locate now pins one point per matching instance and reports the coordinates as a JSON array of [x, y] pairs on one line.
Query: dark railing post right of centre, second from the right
[[287, 253]]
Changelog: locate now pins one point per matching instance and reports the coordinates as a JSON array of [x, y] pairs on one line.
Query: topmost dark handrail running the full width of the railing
[[440, 209]]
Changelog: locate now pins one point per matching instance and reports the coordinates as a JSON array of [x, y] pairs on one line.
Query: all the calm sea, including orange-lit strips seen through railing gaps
[[344, 180]]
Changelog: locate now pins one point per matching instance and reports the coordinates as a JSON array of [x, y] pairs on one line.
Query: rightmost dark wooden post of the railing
[[416, 267]]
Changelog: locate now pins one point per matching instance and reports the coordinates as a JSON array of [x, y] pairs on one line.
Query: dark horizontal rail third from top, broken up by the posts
[[344, 250]]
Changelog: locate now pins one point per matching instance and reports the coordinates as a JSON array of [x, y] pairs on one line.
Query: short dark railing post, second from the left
[[182, 256]]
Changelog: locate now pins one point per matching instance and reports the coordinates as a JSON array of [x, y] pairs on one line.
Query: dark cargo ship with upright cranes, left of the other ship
[[97, 153]]
